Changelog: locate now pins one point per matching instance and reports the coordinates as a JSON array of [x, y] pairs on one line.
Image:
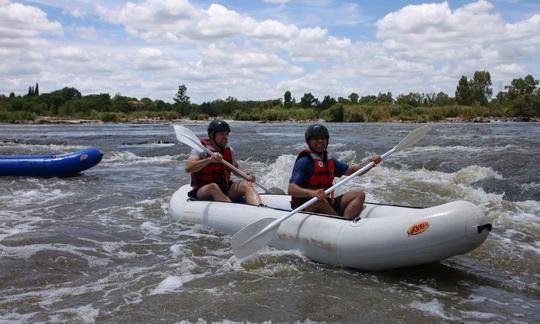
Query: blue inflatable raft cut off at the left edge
[[49, 165]]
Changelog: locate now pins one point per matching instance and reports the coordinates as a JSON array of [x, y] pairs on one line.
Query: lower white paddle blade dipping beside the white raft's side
[[252, 237]]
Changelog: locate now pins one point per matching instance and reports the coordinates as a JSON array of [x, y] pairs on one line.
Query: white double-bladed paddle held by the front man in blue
[[255, 236]]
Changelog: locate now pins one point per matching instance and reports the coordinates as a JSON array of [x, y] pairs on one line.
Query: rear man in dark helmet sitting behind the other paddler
[[210, 178]]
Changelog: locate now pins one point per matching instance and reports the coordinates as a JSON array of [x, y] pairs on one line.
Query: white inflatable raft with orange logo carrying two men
[[381, 237]]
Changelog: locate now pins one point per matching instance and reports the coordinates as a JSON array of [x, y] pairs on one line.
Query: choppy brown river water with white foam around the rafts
[[101, 246]]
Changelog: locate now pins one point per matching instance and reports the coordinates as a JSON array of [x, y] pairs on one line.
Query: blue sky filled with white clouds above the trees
[[257, 50]]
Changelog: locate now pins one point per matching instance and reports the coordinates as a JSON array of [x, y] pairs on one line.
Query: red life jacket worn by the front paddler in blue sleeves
[[322, 177]]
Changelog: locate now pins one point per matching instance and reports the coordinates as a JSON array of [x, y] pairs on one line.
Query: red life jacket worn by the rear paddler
[[214, 172]]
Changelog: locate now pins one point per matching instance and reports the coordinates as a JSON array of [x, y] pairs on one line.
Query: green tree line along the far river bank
[[472, 98]]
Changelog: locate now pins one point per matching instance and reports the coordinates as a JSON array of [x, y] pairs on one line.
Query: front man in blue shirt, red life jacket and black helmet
[[314, 172]]
